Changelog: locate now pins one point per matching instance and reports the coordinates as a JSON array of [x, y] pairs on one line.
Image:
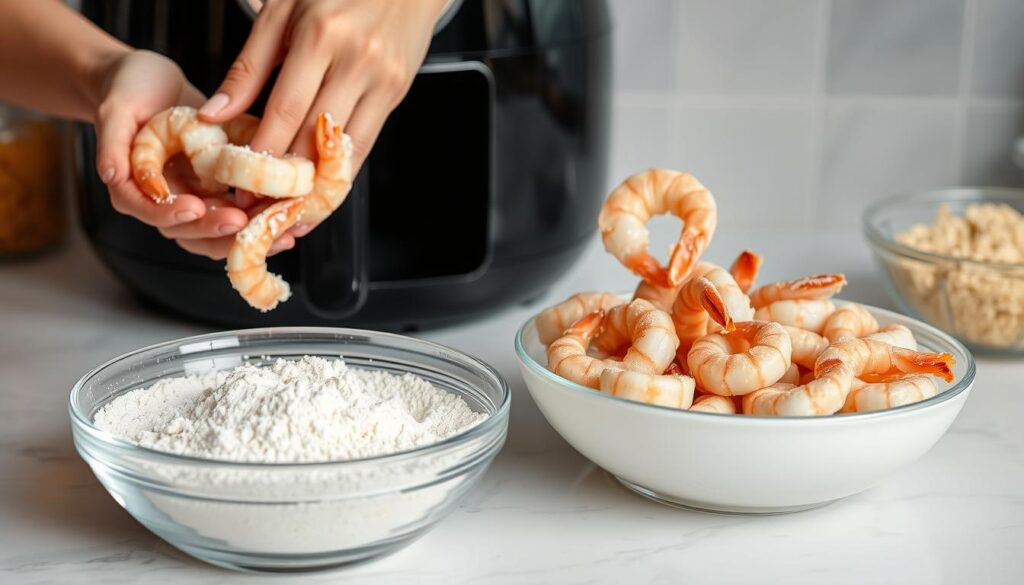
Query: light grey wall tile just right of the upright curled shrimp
[[756, 161]]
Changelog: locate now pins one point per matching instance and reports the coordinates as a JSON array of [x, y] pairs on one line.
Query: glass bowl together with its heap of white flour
[[290, 449]]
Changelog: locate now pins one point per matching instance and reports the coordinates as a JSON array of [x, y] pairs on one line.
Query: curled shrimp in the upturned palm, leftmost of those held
[[173, 132]]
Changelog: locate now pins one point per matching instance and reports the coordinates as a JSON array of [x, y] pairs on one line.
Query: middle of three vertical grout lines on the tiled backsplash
[[816, 177]]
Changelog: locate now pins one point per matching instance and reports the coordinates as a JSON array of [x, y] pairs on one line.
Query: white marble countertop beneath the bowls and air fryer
[[543, 514]]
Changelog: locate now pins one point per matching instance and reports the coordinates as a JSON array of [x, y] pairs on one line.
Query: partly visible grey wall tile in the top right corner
[[999, 50]]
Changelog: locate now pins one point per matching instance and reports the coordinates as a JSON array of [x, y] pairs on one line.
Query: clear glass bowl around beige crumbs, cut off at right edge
[[982, 304]]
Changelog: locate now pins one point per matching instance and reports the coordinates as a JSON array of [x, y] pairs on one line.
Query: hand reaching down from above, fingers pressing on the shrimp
[[353, 59]]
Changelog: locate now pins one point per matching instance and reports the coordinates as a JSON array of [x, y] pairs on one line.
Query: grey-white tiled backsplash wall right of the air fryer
[[800, 112]]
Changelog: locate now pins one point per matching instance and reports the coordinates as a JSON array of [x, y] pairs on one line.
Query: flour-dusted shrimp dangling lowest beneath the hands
[[247, 257]]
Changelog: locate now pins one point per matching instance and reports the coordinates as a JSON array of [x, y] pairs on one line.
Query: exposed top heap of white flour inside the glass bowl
[[311, 410]]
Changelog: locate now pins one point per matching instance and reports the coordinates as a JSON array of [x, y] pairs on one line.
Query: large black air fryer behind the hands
[[484, 187]]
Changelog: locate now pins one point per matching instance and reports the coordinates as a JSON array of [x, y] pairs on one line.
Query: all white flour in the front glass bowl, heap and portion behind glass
[[304, 411]]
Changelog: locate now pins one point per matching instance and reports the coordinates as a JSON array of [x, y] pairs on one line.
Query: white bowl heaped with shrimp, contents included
[[702, 390]]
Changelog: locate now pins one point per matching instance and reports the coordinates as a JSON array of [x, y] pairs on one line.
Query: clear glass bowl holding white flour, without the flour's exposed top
[[291, 517]]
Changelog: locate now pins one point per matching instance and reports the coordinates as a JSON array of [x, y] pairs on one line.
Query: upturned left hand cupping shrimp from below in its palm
[[137, 87]]
